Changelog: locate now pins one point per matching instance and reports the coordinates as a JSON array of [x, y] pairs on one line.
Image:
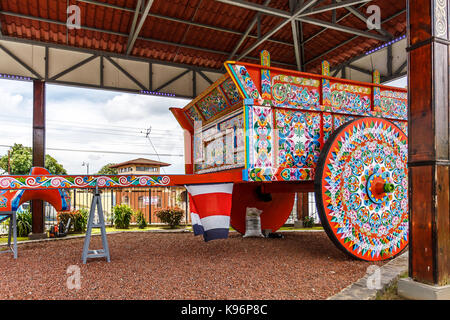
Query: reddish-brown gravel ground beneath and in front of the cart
[[302, 265]]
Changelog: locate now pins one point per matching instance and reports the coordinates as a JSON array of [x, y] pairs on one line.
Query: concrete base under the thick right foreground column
[[414, 290]]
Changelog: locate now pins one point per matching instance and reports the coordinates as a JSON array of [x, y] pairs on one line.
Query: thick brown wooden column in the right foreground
[[429, 158]]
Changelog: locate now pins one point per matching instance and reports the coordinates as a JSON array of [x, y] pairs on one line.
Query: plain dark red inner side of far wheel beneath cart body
[[276, 207]]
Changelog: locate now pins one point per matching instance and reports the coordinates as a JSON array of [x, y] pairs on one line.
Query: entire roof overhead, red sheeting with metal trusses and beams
[[178, 47]]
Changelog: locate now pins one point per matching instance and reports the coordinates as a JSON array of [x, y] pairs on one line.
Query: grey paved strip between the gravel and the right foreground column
[[367, 287]]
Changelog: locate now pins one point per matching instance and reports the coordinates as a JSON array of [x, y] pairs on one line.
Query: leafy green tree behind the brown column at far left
[[21, 161]]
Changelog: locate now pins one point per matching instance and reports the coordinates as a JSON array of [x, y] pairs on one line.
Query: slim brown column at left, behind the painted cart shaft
[[37, 206]]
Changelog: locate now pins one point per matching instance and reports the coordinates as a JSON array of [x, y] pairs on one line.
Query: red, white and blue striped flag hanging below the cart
[[210, 206]]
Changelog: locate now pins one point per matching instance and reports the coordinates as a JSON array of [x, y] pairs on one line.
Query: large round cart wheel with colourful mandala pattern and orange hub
[[361, 189]]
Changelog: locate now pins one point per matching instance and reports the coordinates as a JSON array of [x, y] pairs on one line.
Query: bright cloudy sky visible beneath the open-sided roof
[[97, 120]]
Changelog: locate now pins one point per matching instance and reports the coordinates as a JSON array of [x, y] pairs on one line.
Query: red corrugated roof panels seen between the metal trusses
[[217, 28]]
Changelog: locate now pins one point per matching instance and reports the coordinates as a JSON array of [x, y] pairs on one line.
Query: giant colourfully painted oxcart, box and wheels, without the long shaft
[[284, 132]]
